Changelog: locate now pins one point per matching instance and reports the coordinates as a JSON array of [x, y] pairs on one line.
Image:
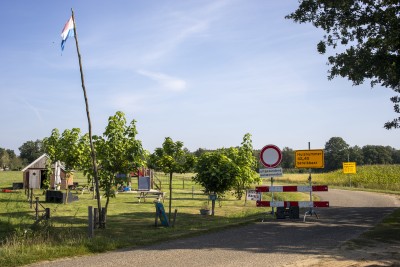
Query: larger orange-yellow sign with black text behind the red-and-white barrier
[[310, 159]]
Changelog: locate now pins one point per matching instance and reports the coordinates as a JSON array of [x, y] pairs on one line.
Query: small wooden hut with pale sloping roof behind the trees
[[35, 174]]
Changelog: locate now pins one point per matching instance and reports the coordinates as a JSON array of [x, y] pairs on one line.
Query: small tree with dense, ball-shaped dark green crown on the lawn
[[216, 172]]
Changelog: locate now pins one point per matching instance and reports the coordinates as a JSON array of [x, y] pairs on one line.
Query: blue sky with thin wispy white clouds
[[204, 72]]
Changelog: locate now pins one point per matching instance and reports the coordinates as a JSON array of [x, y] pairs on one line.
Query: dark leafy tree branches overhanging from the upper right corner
[[370, 30]]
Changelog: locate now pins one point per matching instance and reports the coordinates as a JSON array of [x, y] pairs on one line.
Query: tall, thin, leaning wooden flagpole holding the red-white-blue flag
[[96, 180]]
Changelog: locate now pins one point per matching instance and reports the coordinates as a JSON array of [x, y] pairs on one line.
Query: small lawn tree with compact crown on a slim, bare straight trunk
[[172, 158]]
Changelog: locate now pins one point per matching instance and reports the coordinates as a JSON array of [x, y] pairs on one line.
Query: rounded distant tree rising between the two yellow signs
[[336, 152]]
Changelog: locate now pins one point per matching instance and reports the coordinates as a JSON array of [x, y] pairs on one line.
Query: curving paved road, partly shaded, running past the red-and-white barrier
[[271, 243]]
